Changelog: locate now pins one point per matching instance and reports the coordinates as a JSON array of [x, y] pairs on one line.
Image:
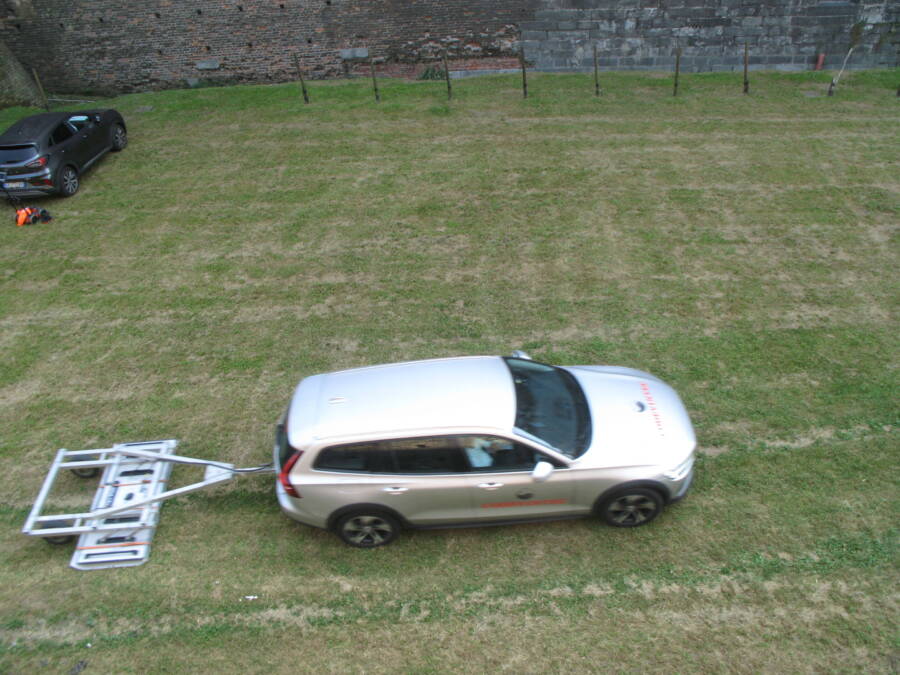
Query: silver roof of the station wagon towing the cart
[[433, 396]]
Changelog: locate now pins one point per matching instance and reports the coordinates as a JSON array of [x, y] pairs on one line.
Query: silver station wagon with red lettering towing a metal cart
[[479, 440]]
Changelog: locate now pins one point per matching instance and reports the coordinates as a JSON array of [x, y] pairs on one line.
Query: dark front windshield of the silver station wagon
[[551, 406]]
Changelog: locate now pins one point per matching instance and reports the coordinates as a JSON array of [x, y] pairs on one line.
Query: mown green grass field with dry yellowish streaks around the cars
[[740, 247]]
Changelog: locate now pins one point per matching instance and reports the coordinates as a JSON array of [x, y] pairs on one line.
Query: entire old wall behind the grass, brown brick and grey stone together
[[112, 46]]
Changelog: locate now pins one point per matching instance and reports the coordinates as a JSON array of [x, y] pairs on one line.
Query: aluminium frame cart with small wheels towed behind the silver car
[[118, 529]]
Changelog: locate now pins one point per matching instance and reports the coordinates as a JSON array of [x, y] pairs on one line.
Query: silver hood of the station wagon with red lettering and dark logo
[[637, 419]]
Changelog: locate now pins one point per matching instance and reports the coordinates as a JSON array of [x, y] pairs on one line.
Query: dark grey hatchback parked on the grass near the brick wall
[[48, 153]]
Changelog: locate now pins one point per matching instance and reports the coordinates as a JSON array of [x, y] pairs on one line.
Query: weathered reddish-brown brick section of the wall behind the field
[[110, 46]]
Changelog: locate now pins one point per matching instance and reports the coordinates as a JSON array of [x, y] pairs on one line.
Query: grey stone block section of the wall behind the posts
[[779, 34]]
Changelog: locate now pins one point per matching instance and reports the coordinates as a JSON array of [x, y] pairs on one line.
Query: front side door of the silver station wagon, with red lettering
[[503, 488]]
